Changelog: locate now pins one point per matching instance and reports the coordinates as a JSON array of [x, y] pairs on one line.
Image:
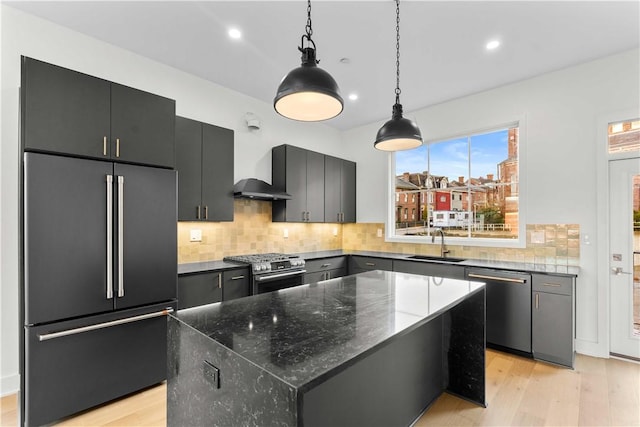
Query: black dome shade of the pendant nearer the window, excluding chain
[[399, 133]]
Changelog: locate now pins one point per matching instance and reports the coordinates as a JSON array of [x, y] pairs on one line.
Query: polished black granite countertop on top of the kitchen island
[[306, 333]]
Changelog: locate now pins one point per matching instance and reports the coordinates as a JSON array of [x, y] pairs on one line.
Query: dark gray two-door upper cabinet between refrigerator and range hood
[[204, 160]]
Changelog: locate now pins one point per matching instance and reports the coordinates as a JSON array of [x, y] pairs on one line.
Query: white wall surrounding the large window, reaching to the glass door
[[560, 153]]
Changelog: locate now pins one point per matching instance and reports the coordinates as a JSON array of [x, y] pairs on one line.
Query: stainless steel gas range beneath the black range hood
[[272, 271]]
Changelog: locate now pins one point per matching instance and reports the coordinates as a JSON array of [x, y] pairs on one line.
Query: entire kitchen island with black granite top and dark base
[[374, 348]]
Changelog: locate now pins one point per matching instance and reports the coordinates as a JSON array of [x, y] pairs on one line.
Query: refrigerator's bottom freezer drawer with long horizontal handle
[[73, 372]]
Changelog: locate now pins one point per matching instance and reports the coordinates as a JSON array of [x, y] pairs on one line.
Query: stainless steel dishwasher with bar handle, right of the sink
[[508, 307]]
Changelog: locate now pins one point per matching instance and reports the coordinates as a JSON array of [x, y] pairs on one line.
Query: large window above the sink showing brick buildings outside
[[468, 186]]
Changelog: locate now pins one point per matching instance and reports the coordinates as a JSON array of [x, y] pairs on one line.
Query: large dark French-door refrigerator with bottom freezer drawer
[[100, 275]]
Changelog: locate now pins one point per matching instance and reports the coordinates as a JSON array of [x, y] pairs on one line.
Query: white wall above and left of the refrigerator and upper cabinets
[[23, 34]]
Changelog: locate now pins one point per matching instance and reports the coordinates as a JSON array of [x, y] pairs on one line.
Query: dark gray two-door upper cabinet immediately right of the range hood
[[300, 173]]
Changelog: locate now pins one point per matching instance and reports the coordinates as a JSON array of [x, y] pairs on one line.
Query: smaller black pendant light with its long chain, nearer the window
[[398, 133]]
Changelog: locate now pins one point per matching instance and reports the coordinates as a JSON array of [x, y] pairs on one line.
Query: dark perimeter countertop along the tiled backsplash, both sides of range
[[502, 265]]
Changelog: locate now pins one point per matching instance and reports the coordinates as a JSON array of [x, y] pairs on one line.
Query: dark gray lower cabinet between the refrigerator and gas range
[[212, 286]]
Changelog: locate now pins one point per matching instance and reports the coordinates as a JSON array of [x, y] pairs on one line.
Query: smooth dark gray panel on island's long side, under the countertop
[[390, 387]]
